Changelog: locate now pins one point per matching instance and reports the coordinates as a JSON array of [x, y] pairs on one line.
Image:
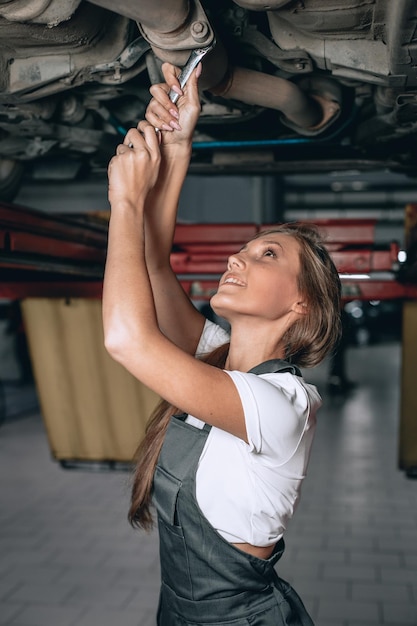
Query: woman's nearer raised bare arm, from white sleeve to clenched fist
[[131, 329]]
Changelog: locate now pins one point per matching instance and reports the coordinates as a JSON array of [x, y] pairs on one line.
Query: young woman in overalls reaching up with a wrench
[[225, 455]]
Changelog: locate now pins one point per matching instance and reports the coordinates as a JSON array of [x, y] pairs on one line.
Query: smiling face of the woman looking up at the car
[[261, 279]]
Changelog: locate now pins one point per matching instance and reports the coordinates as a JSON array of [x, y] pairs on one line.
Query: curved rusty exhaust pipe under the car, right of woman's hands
[[271, 92]]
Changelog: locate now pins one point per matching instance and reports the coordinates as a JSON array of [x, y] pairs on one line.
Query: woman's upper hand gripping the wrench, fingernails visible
[[177, 122]]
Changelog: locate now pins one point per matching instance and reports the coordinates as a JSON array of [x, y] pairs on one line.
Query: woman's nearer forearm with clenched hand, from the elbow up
[[128, 305]]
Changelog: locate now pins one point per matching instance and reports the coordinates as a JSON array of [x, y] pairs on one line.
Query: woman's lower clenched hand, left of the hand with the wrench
[[134, 170]]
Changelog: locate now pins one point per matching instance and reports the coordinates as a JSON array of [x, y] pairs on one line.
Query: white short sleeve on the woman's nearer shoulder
[[276, 409]]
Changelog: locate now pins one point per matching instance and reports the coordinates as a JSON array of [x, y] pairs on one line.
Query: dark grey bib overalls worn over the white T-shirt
[[205, 579]]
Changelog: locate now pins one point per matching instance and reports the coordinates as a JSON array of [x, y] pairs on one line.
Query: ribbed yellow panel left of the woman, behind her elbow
[[92, 407]]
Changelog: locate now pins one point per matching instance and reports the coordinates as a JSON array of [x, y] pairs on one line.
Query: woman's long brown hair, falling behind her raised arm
[[307, 343]]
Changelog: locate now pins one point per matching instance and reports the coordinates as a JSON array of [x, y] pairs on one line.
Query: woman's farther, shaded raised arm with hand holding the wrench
[[178, 319]]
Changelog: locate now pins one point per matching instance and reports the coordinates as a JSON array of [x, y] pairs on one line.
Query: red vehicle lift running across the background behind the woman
[[45, 255]]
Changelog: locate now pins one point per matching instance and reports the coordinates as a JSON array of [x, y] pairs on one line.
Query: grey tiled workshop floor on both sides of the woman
[[69, 558]]
